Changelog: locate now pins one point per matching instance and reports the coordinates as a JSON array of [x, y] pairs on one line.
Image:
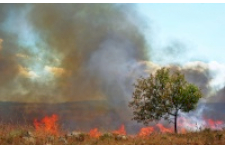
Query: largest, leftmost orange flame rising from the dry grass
[[47, 125]]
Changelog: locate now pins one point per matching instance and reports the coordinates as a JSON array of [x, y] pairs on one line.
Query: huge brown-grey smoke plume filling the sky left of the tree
[[57, 46]]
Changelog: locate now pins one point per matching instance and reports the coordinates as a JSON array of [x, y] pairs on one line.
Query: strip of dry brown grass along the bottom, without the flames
[[22, 135]]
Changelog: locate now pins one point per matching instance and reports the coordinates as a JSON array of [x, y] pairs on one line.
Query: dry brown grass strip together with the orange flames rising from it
[[47, 131]]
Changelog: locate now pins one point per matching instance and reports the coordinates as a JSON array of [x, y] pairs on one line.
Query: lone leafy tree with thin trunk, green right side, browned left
[[162, 95]]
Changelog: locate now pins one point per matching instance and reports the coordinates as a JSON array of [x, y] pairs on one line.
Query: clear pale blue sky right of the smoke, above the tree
[[200, 27]]
